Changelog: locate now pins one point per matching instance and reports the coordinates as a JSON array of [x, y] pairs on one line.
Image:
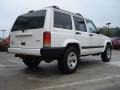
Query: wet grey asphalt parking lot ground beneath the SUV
[[92, 74]]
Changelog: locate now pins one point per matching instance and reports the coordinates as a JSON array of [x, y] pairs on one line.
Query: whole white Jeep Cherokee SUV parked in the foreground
[[55, 34]]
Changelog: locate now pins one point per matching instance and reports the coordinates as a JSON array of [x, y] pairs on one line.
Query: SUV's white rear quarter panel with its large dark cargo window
[[61, 28]]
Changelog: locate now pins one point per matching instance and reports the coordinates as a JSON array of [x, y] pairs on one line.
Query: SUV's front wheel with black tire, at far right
[[104, 55]]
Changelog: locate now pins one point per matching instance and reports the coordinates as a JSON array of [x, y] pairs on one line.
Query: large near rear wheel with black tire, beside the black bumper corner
[[64, 62]]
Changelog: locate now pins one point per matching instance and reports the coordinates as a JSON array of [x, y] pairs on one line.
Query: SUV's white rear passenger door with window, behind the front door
[[82, 35]]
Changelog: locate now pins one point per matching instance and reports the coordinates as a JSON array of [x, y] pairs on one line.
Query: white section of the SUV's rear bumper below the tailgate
[[21, 51]]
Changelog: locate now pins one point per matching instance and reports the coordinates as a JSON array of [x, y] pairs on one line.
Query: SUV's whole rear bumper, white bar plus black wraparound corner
[[43, 52]]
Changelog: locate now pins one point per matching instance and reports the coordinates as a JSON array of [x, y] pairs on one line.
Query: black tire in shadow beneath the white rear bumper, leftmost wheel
[[31, 62]]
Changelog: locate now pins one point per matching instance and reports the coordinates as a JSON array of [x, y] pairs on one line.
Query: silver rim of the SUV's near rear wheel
[[72, 60]]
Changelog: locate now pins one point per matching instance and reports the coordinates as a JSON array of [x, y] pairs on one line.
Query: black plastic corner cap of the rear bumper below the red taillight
[[52, 52]]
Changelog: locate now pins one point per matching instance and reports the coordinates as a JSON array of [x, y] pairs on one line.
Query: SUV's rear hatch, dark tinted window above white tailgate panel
[[27, 31]]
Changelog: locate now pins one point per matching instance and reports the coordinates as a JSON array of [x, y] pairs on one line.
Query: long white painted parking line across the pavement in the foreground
[[78, 83]]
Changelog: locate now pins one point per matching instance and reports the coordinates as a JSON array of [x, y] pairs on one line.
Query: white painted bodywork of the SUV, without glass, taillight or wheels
[[59, 37]]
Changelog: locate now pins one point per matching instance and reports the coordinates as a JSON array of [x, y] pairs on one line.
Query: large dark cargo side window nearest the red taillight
[[62, 20]]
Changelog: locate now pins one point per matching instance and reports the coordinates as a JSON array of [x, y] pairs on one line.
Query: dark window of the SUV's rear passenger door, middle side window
[[79, 24]]
